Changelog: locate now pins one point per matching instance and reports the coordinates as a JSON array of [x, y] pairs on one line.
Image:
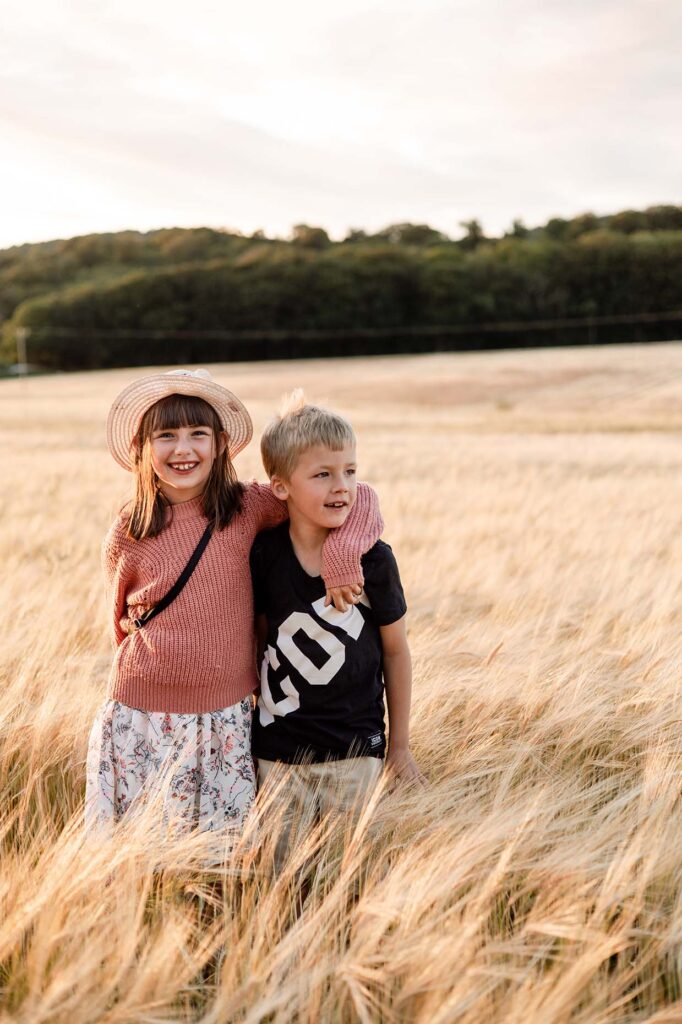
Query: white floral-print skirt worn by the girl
[[198, 767]]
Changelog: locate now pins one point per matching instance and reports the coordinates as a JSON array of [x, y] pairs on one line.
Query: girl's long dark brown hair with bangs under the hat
[[149, 511]]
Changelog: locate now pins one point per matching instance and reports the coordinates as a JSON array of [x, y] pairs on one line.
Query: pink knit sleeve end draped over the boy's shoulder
[[346, 545]]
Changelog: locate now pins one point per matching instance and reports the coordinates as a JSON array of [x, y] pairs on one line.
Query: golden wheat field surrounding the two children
[[533, 500]]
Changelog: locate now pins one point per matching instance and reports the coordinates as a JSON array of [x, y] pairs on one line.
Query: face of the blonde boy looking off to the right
[[322, 489]]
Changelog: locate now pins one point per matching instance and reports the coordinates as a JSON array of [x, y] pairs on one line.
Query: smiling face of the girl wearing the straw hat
[[182, 458]]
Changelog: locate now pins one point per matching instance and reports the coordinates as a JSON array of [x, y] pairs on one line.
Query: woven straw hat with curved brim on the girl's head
[[129, 409]]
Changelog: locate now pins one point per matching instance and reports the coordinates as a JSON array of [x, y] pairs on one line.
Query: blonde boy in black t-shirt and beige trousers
[[321, 709]]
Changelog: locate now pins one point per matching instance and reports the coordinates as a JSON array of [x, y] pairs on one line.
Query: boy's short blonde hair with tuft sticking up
[[297, 429]]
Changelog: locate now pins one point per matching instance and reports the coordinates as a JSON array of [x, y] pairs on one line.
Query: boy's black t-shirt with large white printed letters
[[322, 685]]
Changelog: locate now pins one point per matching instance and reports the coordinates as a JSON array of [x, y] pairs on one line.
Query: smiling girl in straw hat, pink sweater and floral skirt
[[178, 719]]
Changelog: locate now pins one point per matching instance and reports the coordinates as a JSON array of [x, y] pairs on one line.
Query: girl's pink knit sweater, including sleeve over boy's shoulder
[[198, 655]]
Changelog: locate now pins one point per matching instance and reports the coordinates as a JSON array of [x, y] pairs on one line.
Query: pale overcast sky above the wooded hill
[[355, 114]]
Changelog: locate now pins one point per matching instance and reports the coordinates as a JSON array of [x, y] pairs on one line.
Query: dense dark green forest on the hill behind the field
[[205, 295]]
